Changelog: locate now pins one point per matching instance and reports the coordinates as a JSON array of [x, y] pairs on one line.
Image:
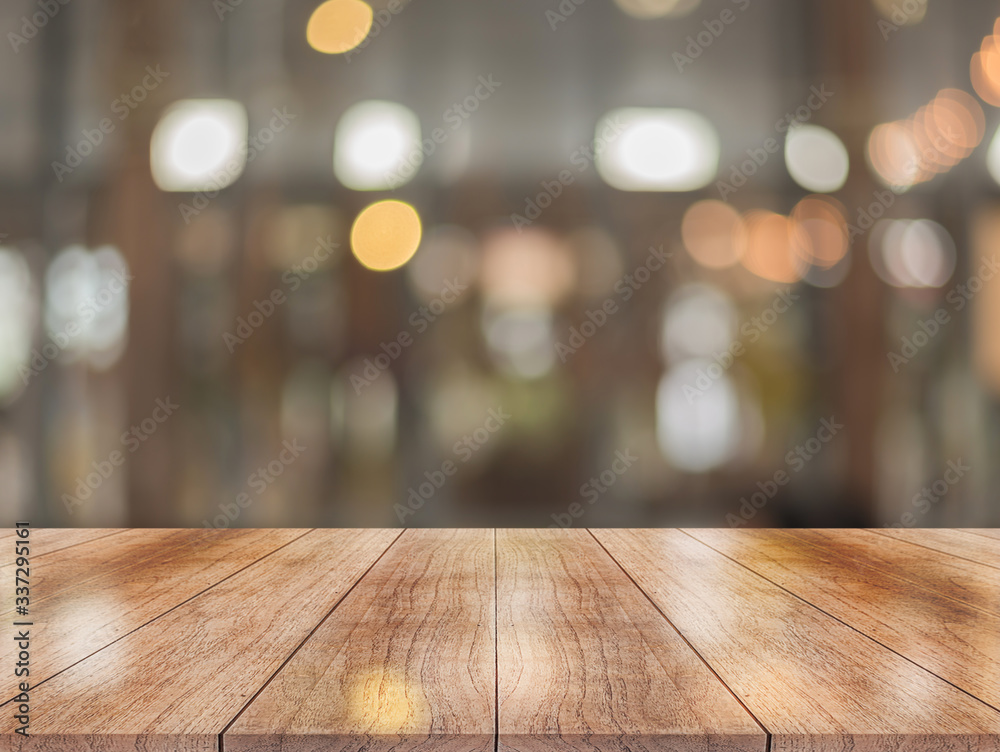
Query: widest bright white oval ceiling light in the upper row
[[656, 149]]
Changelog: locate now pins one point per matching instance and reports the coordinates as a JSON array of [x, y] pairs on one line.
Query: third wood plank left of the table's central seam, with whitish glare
[[93, 614]]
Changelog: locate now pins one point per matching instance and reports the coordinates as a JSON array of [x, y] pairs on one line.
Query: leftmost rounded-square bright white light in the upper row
[[199, 144]]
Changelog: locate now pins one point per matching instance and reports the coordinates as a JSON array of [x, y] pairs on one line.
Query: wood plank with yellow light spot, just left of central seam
[[407, 661]]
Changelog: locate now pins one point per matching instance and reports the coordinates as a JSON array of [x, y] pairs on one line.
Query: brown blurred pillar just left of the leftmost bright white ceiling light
[[136, 218]]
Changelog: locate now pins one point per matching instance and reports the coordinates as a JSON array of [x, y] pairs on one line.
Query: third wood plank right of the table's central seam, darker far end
[[953, 640]]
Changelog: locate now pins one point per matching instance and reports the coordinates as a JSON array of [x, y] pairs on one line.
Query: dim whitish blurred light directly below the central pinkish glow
[[521, 341]]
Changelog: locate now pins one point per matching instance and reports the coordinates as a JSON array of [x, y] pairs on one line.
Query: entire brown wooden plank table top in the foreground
[[514, 640]]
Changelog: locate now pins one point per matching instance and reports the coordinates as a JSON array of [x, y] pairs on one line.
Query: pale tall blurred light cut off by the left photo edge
[[17, 319]]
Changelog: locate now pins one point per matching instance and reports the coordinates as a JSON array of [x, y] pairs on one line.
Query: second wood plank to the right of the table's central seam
[[814, 683]]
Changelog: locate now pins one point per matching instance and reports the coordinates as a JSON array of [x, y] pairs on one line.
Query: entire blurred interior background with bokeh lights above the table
[[530, 263]]
